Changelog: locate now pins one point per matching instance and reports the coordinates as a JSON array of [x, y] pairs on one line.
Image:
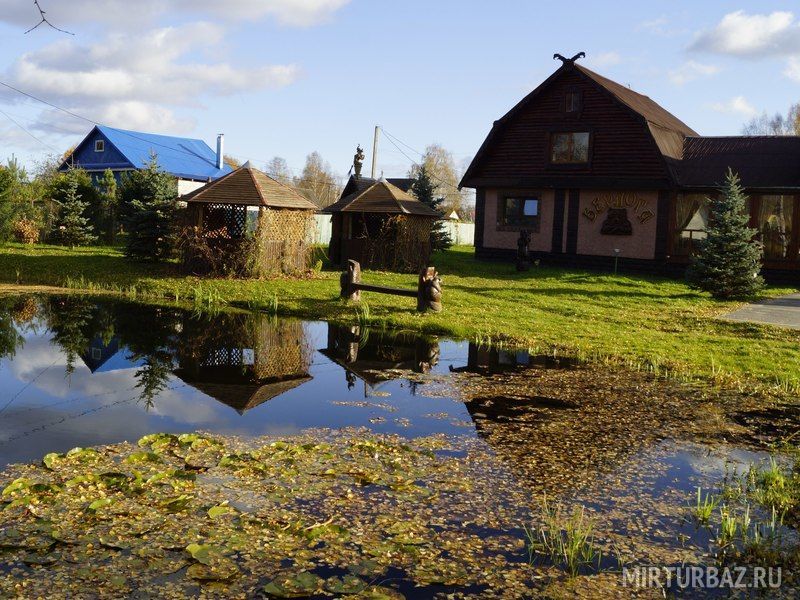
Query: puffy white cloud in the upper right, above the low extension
[[744, 35]]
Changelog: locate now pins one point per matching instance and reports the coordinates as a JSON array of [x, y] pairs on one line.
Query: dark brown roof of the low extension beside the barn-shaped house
[[762, 162]]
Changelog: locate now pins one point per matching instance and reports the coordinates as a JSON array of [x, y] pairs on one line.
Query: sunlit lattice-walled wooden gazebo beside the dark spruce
[[249, 224]]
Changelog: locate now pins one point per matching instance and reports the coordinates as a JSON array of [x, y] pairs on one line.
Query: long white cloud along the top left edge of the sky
[[124, 14]]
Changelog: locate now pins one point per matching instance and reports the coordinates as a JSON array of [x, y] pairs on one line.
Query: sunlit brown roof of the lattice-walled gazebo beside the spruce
[[250, 187]]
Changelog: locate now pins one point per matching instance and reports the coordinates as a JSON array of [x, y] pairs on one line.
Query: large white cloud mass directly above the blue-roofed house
[[137, 80]]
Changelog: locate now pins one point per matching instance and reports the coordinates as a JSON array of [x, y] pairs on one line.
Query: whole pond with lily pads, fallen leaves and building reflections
[[493, 435]]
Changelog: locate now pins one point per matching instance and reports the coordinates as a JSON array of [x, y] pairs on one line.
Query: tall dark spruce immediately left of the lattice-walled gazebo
[[149, 199]]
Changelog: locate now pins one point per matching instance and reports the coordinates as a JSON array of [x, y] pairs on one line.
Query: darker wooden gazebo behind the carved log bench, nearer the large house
[[381, 226]]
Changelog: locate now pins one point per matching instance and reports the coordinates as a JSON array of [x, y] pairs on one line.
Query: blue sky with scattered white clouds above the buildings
[[286, 77]]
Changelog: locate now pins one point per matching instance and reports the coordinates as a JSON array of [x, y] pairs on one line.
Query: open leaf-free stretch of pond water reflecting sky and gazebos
[[77, 371]]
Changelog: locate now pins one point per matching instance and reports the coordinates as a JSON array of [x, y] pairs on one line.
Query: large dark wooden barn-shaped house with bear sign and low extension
[[595, 171]]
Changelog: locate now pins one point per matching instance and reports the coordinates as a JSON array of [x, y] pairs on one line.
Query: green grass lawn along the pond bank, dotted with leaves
[[649, 322]]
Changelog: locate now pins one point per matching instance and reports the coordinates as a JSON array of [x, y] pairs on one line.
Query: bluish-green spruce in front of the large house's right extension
[[728, 262]]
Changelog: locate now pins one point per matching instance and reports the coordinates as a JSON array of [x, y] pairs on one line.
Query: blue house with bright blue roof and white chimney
[[191, 161]]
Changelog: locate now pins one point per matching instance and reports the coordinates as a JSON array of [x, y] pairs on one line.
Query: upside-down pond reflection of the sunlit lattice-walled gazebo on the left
[[244, 361]]
